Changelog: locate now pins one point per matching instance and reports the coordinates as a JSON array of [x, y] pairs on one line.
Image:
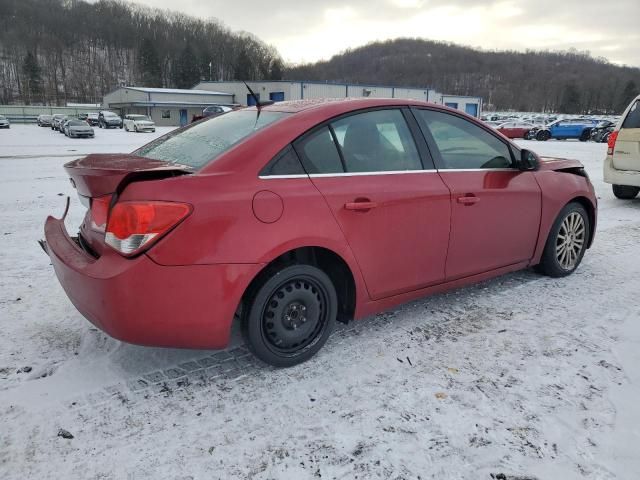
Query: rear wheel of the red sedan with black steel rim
[[290, 315]]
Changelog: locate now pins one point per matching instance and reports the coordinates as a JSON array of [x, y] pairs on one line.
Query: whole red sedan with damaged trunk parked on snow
[[306, 213]]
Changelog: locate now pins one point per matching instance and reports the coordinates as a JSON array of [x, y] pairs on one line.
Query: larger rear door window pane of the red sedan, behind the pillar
[[376, 141]]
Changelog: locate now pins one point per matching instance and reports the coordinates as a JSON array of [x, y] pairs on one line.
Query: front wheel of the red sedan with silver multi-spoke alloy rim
[[566, 243]]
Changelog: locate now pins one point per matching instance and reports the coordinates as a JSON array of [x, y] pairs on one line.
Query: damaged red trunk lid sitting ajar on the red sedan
[[101, 174]]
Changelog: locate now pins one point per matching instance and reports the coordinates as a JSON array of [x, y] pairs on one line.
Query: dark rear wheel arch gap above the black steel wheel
[[327, 260]]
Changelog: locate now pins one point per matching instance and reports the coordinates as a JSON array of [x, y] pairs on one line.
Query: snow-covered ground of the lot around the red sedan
[[524, 376]]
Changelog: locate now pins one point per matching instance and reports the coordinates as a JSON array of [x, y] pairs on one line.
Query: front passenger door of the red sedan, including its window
[[495, 208]]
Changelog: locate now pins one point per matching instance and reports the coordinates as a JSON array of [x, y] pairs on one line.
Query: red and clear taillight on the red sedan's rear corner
[[134, 226]]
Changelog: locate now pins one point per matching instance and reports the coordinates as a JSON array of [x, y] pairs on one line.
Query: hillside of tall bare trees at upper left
[[58, 51]]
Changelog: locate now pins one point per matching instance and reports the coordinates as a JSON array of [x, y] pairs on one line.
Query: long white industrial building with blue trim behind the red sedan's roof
[[292, 90]]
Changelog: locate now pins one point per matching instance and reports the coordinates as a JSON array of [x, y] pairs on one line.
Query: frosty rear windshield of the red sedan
[[204, 141]]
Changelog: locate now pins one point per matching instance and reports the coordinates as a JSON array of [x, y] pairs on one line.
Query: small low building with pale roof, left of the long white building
[[165, 106]]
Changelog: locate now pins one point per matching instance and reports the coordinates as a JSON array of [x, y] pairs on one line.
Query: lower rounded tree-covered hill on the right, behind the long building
[[569, 82]]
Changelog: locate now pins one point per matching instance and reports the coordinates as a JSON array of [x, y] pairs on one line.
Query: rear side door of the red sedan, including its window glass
[[393, 211]]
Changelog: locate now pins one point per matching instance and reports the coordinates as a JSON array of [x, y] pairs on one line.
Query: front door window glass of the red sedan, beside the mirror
[[462, 144]]
